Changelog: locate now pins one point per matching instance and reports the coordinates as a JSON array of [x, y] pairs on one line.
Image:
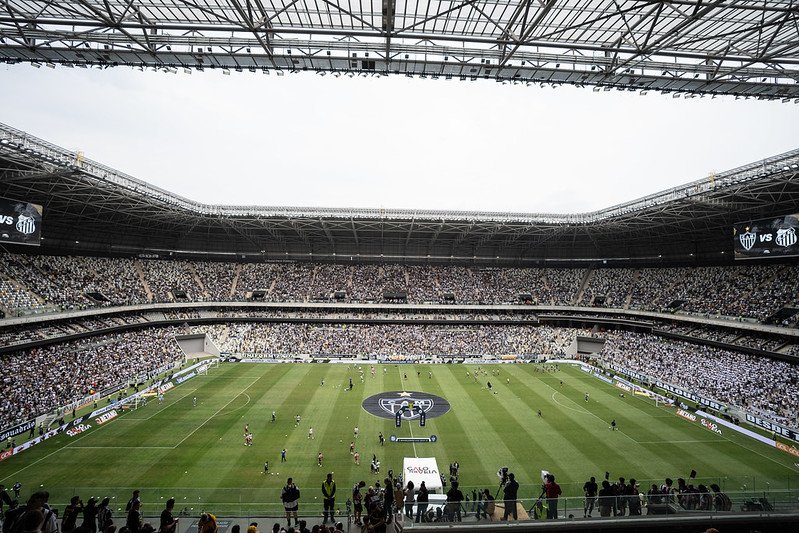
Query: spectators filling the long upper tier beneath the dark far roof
[[751, 291]]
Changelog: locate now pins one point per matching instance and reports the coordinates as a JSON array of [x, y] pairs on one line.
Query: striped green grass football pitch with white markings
[[197, 453]]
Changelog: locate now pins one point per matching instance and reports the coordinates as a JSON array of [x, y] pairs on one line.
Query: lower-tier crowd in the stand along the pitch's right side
[[730, 377]]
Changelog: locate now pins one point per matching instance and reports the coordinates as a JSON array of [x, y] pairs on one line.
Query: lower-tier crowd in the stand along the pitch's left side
[[40, 380]]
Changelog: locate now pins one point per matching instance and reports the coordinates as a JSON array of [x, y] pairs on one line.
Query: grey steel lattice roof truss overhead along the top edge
[[693, 47]]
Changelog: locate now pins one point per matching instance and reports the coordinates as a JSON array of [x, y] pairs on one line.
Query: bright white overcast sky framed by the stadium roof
[[308, 140]]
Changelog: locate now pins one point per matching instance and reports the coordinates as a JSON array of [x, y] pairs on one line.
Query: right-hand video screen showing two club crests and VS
[[768, 237]]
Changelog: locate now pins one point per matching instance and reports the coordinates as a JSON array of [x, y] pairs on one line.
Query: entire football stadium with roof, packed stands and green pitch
[[181, 366]]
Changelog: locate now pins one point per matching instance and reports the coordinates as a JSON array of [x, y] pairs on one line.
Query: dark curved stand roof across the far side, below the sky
[[91, 208]]
